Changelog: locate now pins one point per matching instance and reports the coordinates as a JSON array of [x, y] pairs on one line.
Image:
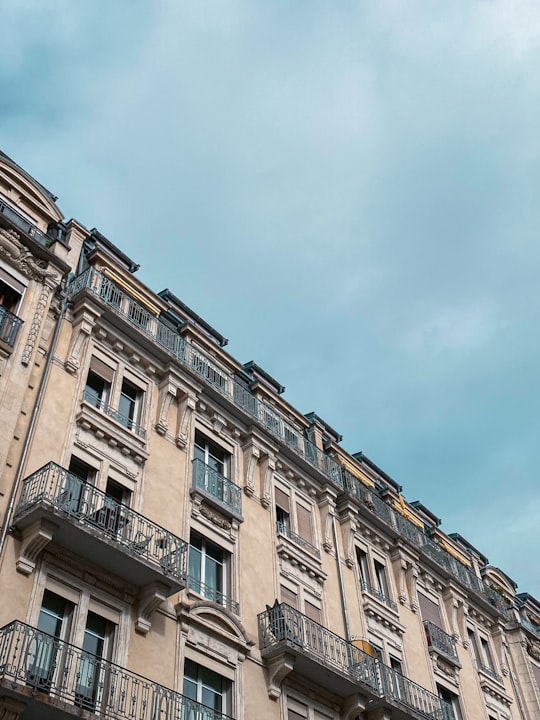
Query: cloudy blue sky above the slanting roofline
[[345, 189]]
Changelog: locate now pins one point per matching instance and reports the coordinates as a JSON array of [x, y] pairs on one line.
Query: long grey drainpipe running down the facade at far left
[[33, 419]]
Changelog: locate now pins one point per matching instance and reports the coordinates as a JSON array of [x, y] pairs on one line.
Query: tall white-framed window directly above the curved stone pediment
[[209, 569]]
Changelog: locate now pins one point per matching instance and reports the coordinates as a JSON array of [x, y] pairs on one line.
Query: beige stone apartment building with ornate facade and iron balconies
[[180, 543]]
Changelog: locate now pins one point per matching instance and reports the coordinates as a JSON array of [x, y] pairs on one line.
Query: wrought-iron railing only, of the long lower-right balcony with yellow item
[[282, 623]]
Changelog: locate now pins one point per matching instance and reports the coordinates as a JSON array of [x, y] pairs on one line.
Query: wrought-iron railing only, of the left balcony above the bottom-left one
[[72, 497]]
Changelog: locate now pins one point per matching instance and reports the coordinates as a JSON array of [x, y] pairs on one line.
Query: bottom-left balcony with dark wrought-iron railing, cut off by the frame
[[57, 680]]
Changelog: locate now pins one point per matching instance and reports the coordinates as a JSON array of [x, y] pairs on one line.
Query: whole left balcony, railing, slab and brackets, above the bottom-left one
[[56, 504]]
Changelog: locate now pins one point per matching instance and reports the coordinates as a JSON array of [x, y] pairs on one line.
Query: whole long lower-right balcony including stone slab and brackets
[[290, 640]]
